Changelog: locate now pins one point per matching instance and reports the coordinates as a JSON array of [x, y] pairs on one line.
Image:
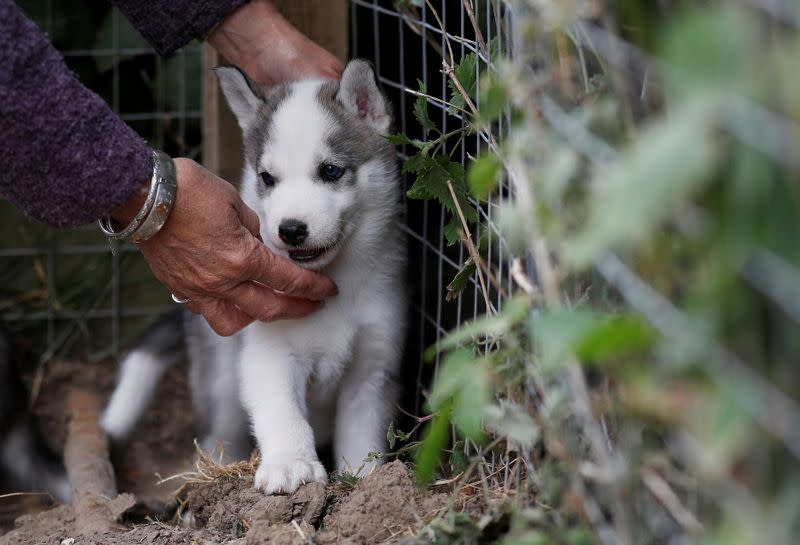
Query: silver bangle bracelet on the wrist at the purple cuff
[[156, 208]]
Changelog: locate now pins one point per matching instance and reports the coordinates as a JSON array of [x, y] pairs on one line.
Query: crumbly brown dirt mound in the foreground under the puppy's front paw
[[383, 507]]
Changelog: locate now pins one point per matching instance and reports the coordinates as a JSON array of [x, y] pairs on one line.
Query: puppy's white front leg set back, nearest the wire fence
[[366, 401]]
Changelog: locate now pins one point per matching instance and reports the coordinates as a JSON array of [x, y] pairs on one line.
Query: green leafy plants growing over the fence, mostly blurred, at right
[[640, 385]]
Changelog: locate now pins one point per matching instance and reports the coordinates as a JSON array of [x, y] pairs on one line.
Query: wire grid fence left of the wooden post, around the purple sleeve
[[42, 269]]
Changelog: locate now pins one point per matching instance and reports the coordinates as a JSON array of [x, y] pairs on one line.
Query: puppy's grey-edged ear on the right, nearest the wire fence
[[359, 93]]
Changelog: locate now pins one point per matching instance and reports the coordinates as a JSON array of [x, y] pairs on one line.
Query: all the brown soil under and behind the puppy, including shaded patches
[[381, 508]]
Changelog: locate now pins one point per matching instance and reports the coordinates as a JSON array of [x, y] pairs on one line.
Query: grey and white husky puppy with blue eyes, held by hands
[[323, 179]]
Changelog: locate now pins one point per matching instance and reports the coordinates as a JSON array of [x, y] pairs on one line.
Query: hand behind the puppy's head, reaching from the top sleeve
[[258, 39]]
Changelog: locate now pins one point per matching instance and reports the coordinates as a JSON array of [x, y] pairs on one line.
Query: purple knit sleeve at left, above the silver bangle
[[65, 157]]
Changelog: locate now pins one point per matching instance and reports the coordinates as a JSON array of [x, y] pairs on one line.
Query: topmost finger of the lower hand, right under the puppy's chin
[[282, 275]]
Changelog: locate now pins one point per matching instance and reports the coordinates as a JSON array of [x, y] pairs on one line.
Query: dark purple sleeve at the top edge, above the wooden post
[[170, 24]]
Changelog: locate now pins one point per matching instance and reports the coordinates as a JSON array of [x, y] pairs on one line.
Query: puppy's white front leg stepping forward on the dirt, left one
[[273, 390]]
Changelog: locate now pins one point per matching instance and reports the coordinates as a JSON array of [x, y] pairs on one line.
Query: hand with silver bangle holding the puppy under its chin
[[210, 252]]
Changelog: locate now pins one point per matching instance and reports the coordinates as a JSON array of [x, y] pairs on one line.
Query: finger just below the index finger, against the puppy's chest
[[263, 304]]
